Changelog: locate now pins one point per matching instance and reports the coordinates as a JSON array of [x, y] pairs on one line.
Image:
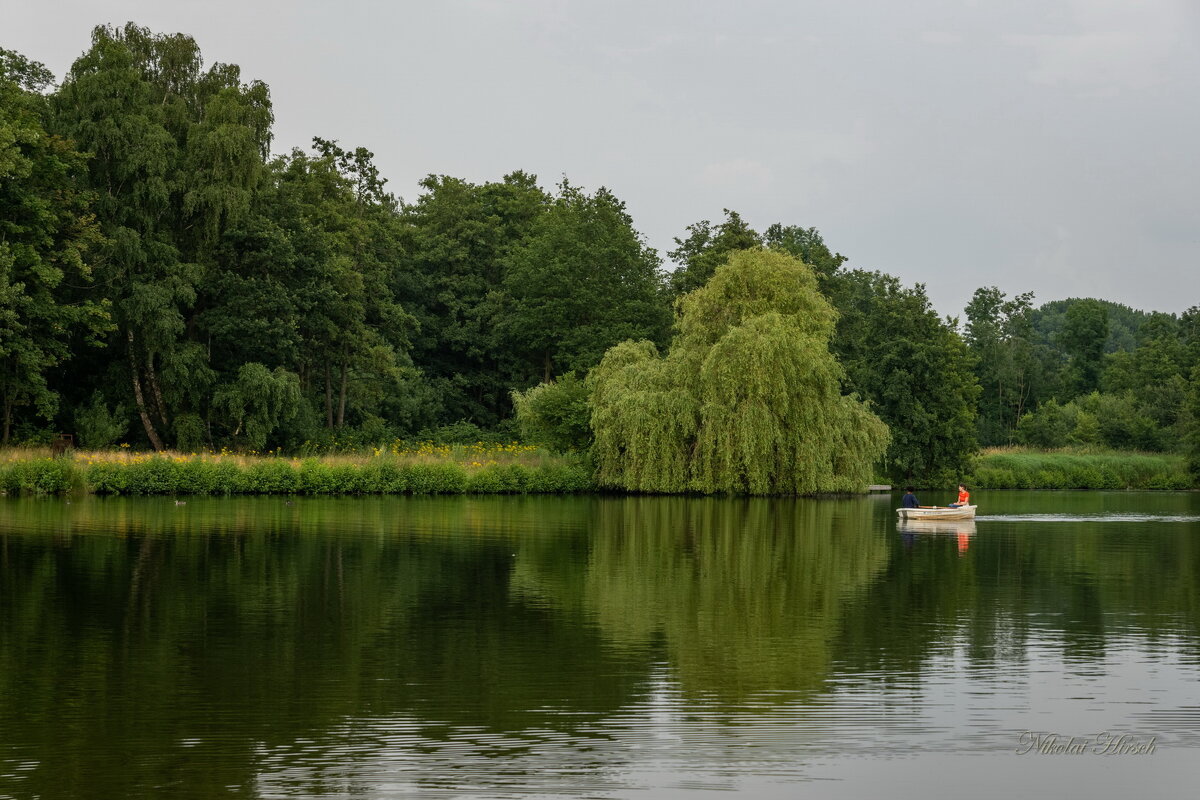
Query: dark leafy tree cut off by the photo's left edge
[[49, 239]]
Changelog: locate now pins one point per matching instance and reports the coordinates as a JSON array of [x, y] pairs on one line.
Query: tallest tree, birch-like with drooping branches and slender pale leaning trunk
[[177, 155]]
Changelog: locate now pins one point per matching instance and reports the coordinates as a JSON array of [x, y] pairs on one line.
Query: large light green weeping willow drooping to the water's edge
[[748, 399]]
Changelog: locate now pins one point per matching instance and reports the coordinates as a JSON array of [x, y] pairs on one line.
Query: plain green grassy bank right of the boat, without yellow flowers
[[1015, 468]]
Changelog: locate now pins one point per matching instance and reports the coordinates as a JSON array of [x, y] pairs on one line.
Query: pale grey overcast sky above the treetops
[[1046, 146]]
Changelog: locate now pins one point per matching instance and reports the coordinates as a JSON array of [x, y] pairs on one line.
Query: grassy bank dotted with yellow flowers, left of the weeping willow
[[422, 470]]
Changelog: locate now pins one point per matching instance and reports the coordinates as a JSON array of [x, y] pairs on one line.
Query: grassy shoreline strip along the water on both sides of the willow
[[506, 470]]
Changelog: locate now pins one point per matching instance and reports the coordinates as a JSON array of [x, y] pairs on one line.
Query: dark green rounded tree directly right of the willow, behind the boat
[[914, 370]]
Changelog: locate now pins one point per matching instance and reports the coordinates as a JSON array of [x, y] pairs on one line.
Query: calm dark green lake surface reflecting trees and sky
[[597, 648]]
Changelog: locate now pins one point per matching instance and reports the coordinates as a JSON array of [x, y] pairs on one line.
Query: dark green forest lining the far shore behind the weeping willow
[[169, 281]]
